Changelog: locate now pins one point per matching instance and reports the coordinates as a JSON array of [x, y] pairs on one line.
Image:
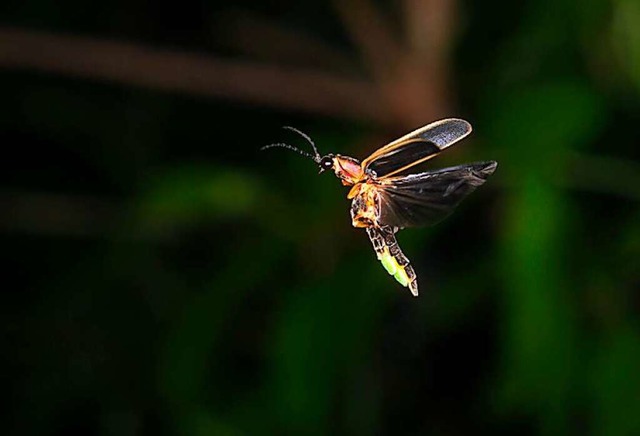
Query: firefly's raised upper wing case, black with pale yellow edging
[[416, 147]]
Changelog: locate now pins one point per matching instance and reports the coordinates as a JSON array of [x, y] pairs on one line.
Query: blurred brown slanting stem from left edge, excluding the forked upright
[[137, 65]]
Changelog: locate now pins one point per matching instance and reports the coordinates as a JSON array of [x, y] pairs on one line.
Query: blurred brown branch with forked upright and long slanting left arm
[[409, 82]]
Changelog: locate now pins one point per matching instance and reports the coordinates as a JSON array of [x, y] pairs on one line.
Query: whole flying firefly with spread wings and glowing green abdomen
[[385, 199]]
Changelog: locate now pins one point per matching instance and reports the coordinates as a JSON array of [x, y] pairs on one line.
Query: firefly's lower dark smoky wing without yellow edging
[[427, 198]]
